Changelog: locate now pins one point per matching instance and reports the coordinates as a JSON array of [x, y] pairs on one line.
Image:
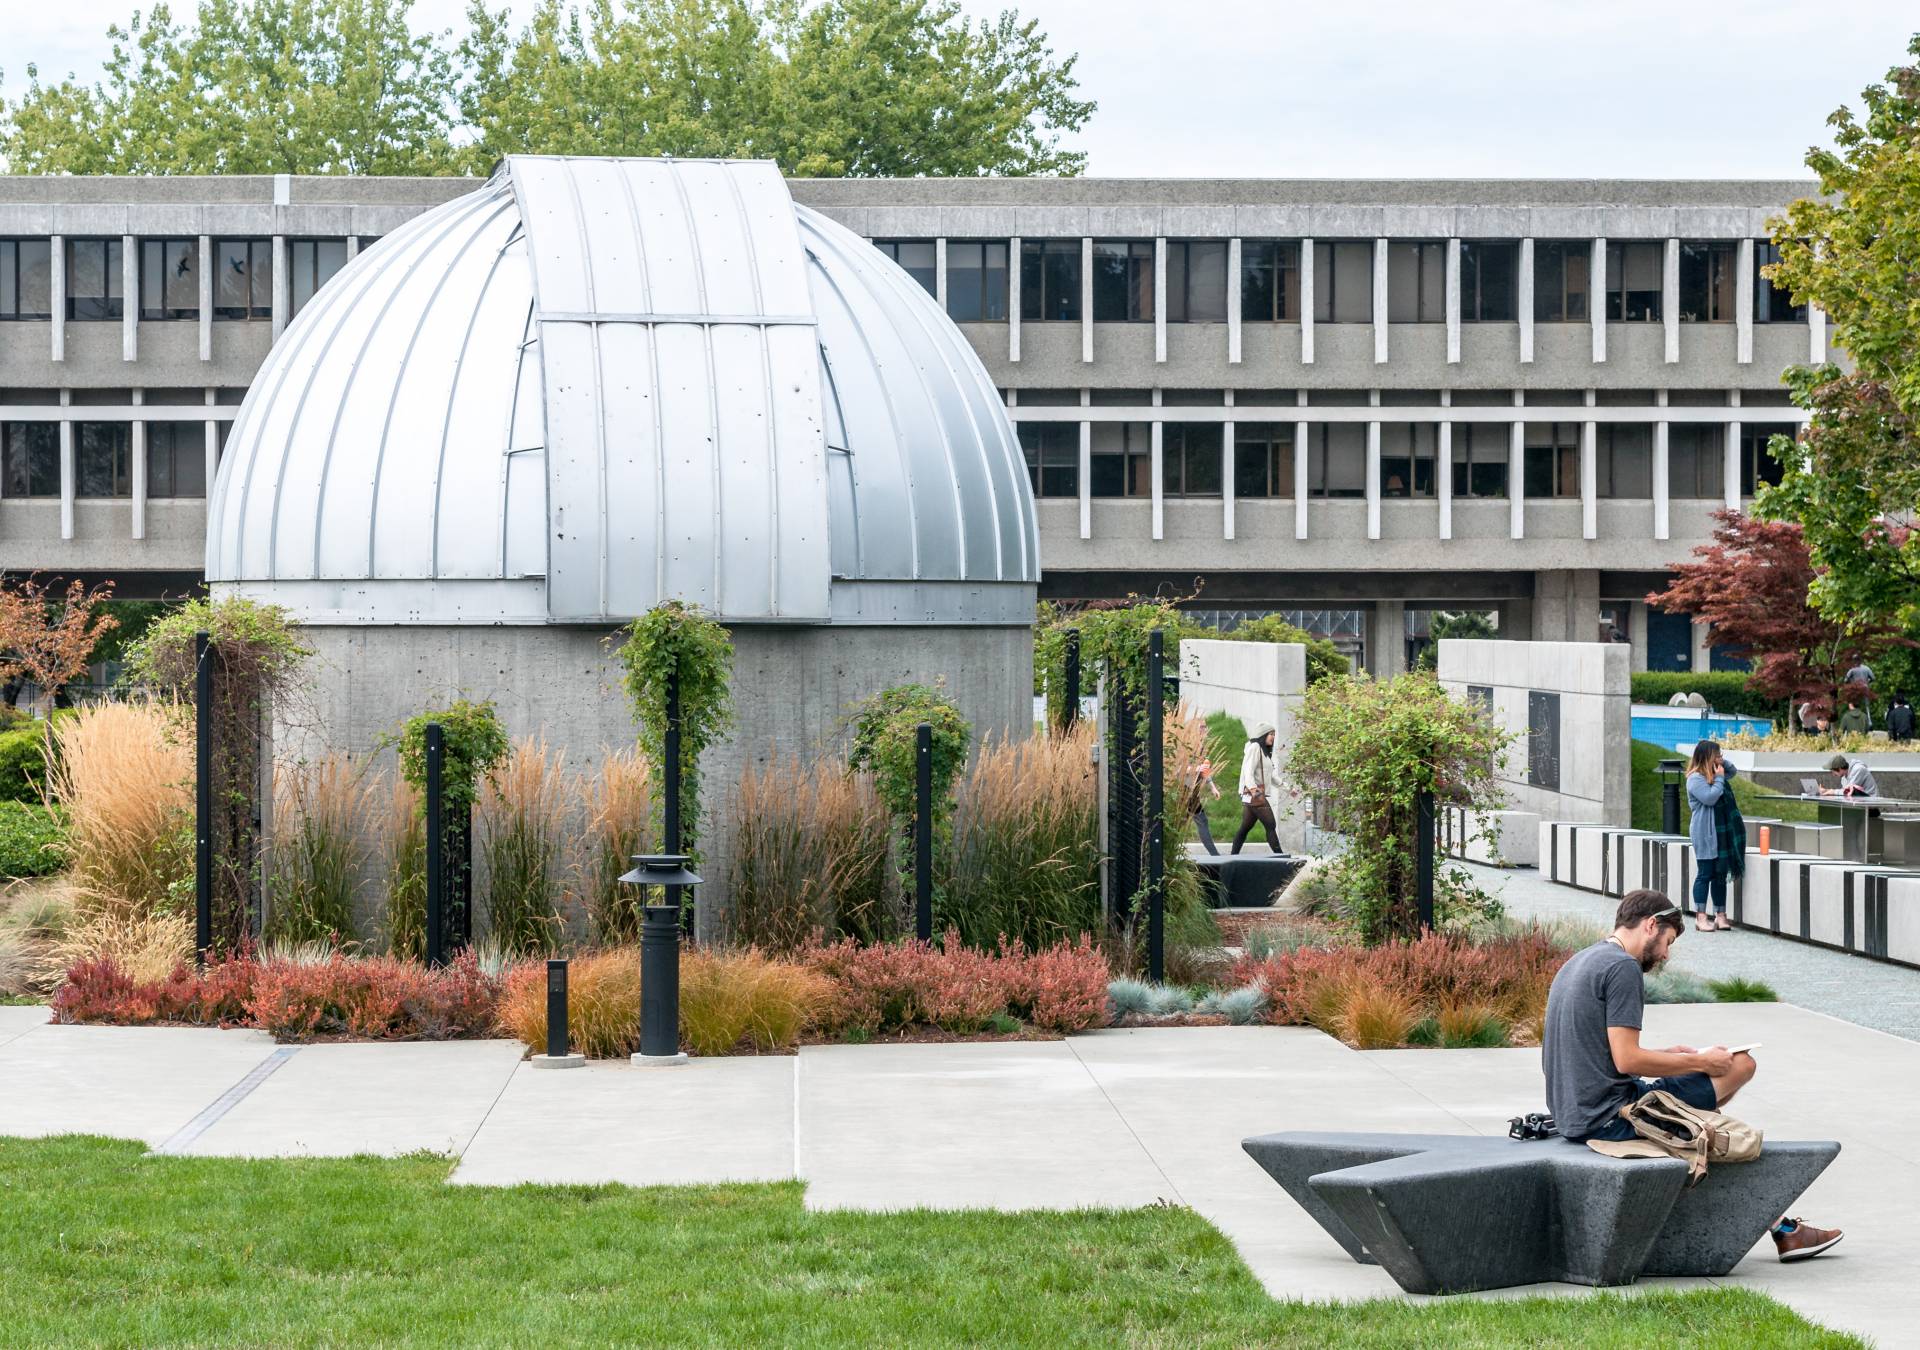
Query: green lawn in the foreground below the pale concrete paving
[[105, 1243]]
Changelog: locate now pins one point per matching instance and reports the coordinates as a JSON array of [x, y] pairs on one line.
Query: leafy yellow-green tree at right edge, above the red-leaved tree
[[1854, 479]]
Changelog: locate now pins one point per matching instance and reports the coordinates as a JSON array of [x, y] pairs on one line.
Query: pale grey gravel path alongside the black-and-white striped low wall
[[1869, 994]]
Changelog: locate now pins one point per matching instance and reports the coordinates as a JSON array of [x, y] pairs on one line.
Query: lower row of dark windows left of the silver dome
[[103, 460]]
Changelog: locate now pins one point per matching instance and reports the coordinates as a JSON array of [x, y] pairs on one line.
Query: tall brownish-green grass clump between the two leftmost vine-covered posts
[[318, 852]]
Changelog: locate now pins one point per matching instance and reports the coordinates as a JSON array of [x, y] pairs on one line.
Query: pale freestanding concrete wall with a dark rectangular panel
[[1568, 710]]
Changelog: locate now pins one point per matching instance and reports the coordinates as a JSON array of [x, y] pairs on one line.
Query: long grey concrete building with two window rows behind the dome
[[1356, 402]]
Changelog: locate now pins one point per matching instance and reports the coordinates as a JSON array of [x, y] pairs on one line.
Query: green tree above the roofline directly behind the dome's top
[[830, 89]]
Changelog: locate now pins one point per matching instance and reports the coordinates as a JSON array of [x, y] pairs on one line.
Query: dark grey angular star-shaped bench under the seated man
[[1447, 1215]]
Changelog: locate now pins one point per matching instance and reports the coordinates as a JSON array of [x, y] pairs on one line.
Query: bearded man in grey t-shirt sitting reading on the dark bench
[[1593, 1055]]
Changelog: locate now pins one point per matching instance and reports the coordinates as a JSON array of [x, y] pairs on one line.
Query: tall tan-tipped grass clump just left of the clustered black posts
[[1026, 846]]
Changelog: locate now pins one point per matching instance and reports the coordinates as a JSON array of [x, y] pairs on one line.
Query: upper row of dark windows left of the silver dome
[[168, 277]]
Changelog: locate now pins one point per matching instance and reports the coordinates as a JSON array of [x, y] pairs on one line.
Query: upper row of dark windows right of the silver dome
[[1343, 281]]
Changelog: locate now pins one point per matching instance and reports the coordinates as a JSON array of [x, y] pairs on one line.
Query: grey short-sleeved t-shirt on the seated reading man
[[1600, 988]]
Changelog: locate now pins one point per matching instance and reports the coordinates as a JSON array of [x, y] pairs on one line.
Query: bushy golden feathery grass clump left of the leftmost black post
[[126, 777]]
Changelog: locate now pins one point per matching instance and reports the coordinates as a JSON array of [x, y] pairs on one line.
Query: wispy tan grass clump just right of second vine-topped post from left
[[521, 819]]
